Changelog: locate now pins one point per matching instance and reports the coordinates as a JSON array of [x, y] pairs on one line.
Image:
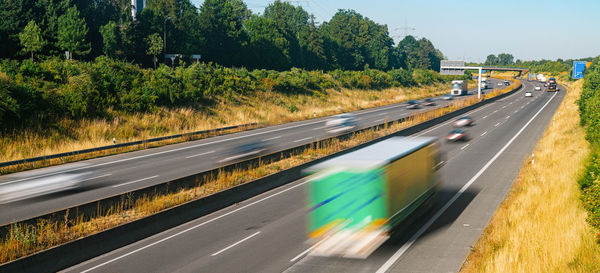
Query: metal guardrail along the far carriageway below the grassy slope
[[126, 144]]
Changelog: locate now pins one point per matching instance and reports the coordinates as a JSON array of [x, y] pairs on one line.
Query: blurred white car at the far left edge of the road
[[12, 192]]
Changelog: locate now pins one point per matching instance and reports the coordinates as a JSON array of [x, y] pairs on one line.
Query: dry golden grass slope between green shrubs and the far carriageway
[[266, 108]]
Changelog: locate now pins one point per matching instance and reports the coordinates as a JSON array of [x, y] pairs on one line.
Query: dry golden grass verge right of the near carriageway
[[541, 226]]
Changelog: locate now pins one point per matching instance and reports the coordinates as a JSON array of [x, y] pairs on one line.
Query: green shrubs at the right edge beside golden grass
[[589, 108]]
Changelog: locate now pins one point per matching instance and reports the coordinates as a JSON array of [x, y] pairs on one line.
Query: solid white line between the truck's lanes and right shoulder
[[388, 264]]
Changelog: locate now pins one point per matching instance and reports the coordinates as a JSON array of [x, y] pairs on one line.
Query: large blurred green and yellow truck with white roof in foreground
[[356, 200]]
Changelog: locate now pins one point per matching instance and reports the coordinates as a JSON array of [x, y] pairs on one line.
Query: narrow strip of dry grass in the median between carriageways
[[24, 239]]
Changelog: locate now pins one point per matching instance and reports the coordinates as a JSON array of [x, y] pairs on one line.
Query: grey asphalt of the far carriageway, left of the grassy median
[[112, 175]]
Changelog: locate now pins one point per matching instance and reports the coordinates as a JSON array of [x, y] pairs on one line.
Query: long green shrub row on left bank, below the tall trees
[[38, 93]]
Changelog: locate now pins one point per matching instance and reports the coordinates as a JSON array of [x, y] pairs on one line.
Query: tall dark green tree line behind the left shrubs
[[224, 32]]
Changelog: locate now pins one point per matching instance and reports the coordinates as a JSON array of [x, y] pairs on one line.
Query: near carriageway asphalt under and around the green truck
[[267, 233]]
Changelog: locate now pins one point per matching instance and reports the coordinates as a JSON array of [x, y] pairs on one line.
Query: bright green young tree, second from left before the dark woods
[[72, 31]]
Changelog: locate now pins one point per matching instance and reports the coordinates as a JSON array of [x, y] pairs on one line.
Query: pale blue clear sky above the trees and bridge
[[470, 30]]
